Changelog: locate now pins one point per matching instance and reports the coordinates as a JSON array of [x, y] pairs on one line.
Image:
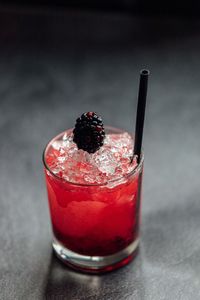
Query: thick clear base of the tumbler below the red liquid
[[95, 264]]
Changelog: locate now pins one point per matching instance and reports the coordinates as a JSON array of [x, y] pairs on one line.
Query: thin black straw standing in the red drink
[[142, 95]]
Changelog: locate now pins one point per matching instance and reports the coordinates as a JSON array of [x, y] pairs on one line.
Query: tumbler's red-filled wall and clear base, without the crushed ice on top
[[95, 226]]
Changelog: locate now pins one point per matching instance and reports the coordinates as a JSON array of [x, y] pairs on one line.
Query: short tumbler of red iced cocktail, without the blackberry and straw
[[94, 201]]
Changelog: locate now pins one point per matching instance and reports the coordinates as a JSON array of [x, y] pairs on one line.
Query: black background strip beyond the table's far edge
[[177, 7]]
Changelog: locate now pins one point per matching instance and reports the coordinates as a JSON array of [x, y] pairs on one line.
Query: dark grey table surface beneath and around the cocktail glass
[[54, 66]]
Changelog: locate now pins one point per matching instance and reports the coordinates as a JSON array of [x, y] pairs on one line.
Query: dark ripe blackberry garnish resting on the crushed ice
[[89, 132]]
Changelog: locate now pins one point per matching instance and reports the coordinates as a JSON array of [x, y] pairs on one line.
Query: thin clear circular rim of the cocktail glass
[[126, 176]]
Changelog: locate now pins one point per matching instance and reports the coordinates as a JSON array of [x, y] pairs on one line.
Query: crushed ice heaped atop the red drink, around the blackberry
[[110, 162]]
